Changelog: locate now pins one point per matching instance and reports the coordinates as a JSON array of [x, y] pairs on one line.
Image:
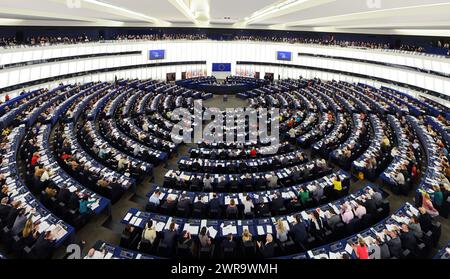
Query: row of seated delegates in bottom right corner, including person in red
[[408, 233]]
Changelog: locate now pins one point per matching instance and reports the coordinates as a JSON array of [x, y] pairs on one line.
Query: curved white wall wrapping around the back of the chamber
[[222, 52]]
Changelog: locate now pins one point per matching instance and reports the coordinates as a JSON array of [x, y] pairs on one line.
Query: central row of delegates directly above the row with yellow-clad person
[[236, 182]]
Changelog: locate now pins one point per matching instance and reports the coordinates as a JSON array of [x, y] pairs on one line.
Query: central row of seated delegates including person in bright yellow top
[[249, 205]]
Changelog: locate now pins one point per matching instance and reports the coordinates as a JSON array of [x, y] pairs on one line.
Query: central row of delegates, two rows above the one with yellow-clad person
[[241, 165]]
